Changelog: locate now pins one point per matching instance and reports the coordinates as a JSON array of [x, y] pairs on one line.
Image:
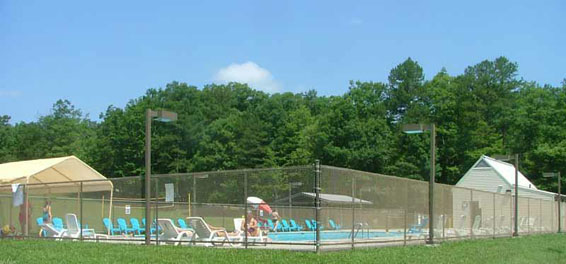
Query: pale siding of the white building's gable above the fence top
[[485, 179]]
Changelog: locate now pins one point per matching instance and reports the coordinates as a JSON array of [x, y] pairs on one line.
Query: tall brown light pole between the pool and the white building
[[417, 129]]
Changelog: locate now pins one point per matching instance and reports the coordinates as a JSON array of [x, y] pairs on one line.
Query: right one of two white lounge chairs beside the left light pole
[[204, 233]]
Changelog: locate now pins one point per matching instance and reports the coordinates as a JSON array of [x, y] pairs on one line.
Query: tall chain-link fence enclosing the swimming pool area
[[274, 208]]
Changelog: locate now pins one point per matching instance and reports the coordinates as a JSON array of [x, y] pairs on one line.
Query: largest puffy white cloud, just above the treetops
[[250, 73]]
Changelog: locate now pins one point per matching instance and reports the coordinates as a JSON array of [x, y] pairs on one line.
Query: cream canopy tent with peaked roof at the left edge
[[54, 176]]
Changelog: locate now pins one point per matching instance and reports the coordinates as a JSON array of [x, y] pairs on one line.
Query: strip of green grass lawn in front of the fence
[[527, 249]]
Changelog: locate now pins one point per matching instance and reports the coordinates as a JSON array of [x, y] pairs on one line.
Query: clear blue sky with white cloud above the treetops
[[101, 53]]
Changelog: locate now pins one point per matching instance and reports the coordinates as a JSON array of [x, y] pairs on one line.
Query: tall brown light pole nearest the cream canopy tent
[[163, 116]]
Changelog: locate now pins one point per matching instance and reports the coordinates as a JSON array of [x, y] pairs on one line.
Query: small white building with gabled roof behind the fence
[[486, 192]]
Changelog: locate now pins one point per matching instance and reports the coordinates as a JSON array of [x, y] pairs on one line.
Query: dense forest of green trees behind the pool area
[[488, 109]]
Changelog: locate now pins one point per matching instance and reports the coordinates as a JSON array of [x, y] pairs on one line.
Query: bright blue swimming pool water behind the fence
[[328, 235]]
